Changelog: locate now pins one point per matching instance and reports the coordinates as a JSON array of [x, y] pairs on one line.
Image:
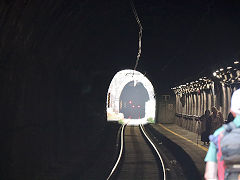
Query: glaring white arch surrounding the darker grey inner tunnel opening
[[117, 84]]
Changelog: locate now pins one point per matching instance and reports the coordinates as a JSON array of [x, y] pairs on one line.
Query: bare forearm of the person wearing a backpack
[[211, 171]]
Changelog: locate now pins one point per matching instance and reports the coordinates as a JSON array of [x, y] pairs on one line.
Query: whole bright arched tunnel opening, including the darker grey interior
[[131, 98]]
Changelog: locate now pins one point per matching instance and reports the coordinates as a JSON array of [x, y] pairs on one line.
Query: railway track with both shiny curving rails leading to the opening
[[138, 157]]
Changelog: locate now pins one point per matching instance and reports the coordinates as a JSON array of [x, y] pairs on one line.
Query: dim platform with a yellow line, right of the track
[[189, 141]]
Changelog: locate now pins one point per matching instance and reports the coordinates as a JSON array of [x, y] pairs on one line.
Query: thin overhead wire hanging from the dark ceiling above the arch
[[140, 34]]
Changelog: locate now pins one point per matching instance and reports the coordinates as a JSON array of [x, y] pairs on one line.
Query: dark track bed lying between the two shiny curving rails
[[138, 160]]
